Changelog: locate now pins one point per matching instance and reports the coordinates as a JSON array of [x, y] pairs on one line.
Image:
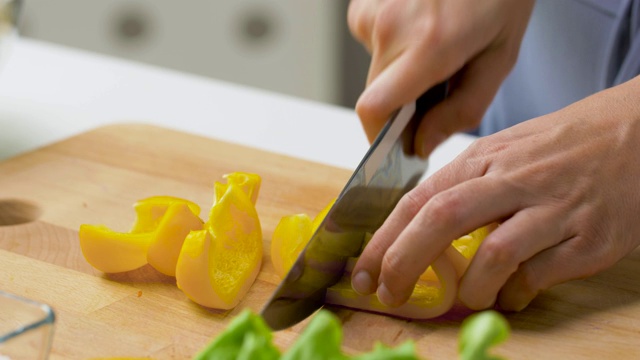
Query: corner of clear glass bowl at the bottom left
[[26, 328]]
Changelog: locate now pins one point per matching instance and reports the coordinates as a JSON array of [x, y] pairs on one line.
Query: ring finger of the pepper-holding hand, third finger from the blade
[[519, 238]]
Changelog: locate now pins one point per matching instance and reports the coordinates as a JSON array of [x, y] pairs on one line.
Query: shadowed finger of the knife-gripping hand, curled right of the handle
[[469, 97]]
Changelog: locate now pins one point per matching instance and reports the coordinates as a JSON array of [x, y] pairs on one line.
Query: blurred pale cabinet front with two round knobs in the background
[[296, 47]]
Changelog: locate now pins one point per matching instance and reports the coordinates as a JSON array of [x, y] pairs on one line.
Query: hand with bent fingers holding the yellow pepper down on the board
[[565, 187]]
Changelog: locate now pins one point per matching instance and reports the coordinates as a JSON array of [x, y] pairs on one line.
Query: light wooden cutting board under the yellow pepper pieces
[[96, 177]]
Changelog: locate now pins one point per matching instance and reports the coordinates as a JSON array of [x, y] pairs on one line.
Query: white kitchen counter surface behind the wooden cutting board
[[50, 92]]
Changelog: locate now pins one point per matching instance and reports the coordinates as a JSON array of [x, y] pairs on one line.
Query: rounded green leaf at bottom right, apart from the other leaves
[[481, 331]]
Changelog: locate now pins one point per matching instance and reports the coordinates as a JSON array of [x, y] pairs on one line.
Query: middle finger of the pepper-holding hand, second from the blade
[[445, 217]]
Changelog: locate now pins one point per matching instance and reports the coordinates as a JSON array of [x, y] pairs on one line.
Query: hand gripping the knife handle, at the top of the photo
[[416, 44]]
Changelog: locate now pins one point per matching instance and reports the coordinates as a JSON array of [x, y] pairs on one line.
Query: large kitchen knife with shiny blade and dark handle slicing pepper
[[389, 169]]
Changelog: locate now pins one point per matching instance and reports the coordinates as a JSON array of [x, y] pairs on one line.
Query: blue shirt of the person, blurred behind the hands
[[571, 49]]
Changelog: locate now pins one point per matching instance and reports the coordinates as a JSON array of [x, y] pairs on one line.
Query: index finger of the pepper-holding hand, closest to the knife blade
[[367, 269]]
